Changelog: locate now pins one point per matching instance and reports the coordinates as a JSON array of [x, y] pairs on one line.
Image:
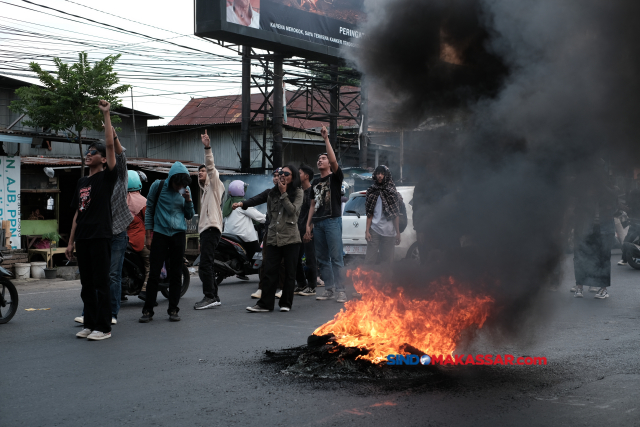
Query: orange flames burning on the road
[[386, 320]]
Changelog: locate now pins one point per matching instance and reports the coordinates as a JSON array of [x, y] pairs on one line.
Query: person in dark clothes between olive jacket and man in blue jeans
[[306, 281]]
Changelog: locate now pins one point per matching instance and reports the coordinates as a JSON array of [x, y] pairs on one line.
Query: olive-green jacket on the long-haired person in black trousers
[[283, 229]]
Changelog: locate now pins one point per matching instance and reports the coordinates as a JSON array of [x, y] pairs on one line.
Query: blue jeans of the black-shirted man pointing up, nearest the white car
[[327, 235]]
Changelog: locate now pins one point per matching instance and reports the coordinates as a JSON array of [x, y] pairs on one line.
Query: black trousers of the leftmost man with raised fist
[[94, 261]]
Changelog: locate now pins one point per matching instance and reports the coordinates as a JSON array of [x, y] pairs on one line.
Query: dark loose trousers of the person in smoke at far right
[[592, 260]]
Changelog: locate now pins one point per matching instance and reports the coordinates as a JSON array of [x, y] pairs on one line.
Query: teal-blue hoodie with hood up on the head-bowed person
[[167, 215]]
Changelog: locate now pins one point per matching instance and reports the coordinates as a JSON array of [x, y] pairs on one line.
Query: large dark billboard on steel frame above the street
[[314, 29]]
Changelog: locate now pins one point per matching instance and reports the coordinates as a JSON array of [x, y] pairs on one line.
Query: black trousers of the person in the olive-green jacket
[[274, 257]]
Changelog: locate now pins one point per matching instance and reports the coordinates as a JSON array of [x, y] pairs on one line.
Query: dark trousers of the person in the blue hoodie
[[163, 248]]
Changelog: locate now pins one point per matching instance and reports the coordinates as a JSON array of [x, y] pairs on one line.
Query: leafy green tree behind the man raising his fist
[[68, 102]]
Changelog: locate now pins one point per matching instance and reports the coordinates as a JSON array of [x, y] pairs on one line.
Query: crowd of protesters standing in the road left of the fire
[[303, 225]]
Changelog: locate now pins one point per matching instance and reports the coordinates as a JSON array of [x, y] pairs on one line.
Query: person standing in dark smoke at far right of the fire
[[594, 230]]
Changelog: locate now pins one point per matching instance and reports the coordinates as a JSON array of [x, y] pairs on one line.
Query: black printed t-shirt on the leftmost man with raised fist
[[92, 199]]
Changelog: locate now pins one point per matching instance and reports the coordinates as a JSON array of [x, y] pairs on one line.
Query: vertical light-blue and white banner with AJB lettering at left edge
[[10, 196]]
